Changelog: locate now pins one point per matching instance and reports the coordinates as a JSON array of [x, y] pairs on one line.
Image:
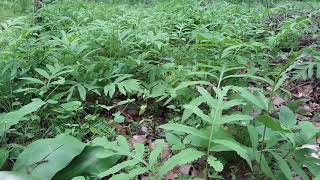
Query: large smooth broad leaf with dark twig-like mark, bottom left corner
[[52, 155]]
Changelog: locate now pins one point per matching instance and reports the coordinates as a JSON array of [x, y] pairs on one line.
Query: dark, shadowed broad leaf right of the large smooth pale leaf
[[92, 160]]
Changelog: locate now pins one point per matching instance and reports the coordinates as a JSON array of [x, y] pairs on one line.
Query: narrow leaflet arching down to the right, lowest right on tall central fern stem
[[242, 152]]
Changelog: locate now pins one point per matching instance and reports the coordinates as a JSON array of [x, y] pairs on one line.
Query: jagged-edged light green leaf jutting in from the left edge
[[12, 118]]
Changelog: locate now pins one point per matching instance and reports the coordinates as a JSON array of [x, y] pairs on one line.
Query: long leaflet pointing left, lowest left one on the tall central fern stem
[[184, 129]]
